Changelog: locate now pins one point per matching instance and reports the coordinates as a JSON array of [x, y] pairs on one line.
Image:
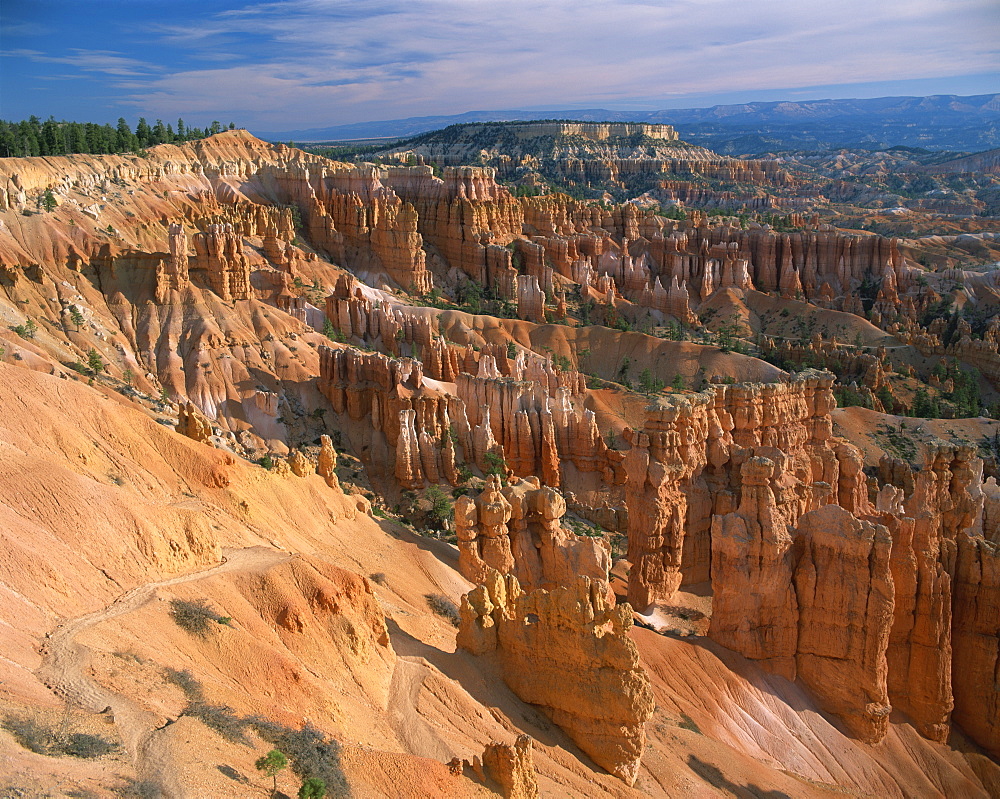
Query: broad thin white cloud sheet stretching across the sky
[[317, 62]]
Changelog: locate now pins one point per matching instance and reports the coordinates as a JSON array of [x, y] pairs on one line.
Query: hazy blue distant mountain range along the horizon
[[938, 122]]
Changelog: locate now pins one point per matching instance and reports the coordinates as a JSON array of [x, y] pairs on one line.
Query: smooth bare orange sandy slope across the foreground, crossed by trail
[[107, 515]]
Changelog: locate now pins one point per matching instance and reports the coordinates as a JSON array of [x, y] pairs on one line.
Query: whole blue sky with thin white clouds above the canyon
[[296, 64]]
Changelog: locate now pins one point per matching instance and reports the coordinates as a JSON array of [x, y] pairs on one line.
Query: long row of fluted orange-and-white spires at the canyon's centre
[[529, 419]]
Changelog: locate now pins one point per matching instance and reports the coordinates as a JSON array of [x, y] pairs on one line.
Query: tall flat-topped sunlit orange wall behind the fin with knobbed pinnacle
[[683, 466]]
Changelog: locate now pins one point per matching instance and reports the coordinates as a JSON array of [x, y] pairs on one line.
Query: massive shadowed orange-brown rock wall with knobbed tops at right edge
[[863, 624]]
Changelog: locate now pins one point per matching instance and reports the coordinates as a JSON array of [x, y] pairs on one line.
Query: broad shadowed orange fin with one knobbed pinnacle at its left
[[814, 603]]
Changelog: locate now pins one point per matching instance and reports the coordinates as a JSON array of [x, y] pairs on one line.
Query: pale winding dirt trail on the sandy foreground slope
[[65, 664]]
